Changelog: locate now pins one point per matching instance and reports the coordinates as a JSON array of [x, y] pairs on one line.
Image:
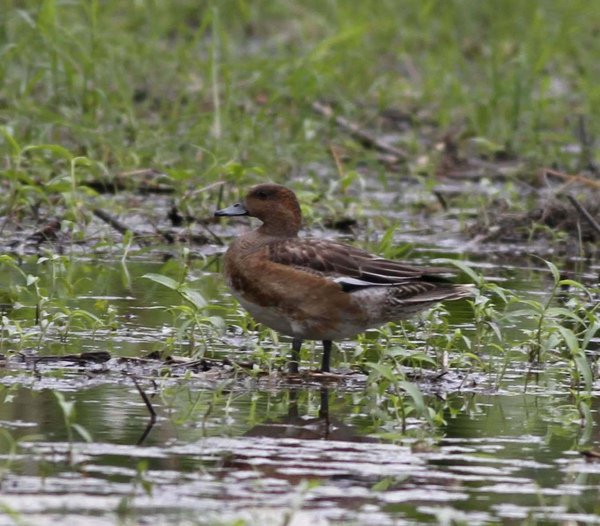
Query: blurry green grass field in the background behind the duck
[[189, 87]]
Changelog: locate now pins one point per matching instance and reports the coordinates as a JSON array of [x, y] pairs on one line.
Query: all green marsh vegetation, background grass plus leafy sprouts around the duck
[[210, 92]]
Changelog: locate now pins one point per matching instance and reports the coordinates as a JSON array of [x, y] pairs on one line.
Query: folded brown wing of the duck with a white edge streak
[[347, 265]]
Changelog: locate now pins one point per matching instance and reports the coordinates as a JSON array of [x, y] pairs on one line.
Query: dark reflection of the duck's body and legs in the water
[[297, 424]]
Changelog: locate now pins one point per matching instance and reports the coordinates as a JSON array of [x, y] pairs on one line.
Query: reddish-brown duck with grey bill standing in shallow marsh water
[[319, 289]]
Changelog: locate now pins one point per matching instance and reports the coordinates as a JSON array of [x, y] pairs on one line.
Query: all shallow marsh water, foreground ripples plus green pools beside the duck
[[234, 448]]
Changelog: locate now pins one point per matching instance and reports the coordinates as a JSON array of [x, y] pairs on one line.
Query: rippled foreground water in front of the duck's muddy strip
[[262, 456]]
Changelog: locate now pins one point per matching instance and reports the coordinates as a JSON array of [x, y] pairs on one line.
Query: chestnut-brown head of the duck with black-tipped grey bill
[[275, 205]]
